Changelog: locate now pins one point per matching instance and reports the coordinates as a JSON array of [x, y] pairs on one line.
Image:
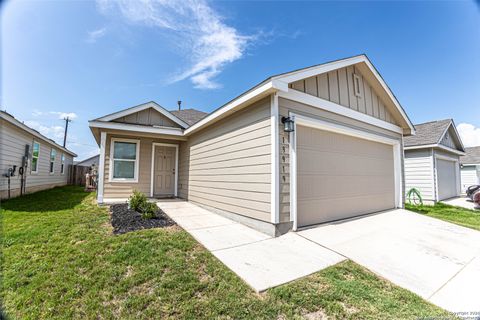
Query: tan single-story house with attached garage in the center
[[318, 144]]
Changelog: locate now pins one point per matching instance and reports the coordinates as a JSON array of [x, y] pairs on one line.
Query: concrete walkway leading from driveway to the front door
[[260, 260]]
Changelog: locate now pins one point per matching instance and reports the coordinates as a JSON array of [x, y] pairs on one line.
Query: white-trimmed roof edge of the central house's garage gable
[[280, 82]]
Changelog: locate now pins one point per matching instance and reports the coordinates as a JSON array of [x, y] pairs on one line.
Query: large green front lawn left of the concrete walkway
[[60, 260]]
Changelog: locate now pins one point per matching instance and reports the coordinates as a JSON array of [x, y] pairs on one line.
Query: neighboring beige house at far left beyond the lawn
[[47, 163]]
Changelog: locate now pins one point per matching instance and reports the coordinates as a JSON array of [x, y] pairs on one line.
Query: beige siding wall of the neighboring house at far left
[[12, 148]]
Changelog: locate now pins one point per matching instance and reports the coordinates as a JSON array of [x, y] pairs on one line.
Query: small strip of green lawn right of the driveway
[[458, 215]]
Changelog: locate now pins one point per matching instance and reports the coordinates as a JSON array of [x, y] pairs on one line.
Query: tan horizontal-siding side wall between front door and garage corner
[[228, 165]]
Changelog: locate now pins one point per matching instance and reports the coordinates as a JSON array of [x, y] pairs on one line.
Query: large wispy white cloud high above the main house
[[204, 38]]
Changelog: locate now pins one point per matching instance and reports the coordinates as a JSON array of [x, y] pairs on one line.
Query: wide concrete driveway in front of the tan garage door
[[437, 260]]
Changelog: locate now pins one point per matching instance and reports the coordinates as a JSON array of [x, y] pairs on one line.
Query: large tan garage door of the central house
[[340, 176]]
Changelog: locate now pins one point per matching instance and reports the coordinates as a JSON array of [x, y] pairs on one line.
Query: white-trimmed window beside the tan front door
[[124, 155]]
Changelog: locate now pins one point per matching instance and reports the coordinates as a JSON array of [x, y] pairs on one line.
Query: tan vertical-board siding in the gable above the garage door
[[337, 86]]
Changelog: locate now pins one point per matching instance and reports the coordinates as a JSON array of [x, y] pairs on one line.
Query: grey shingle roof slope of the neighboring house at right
[[427, 133]]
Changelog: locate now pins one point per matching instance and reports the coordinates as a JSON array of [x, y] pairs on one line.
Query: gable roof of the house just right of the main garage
[[430, 134]]
